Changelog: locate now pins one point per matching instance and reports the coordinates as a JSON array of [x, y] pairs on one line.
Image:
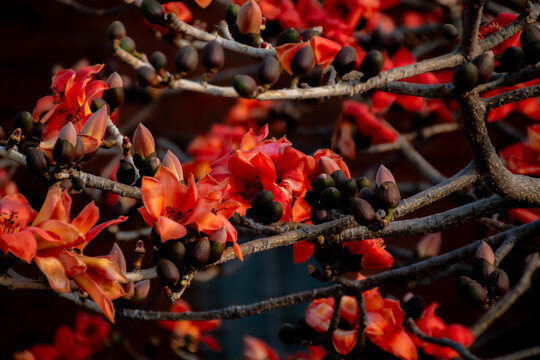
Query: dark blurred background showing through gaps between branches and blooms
[[38, 35]]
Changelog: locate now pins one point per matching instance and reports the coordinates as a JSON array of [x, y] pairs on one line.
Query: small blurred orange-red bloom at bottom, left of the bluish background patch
[[187, 333]]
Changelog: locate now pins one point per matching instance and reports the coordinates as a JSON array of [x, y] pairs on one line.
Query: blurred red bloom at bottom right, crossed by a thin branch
[[432, 325]]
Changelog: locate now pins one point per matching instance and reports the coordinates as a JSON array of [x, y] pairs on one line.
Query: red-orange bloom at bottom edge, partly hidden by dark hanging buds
[[384, 324]]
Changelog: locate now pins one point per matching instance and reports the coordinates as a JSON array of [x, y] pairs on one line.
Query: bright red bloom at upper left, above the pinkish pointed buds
[[73, 92]]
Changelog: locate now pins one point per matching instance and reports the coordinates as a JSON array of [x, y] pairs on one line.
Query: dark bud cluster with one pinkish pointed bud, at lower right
[[488, 283]]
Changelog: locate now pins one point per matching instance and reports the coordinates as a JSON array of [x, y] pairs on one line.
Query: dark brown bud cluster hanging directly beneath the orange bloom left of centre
[[193, 251]]
